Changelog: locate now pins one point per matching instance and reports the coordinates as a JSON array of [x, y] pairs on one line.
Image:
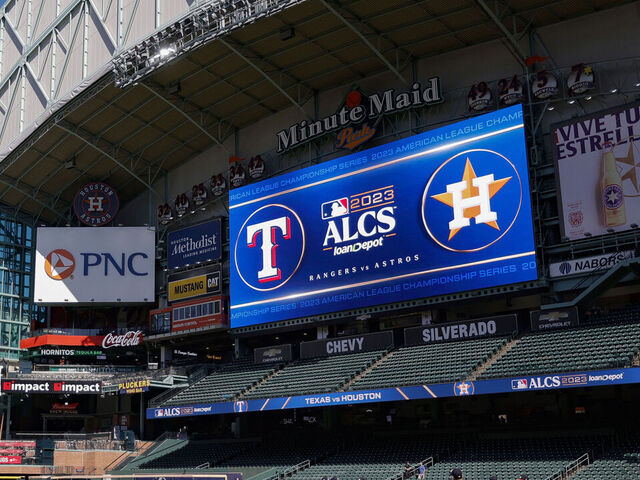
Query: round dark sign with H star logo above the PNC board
[[96, 204]]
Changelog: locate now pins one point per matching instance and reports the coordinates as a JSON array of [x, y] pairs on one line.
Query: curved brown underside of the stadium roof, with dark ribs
[[130, 137]]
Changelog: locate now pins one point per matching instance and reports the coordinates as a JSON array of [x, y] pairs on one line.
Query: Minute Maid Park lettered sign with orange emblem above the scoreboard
[[358, 111]]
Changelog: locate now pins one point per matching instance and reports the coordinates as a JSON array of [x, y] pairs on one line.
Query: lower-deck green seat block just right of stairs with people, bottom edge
[[508, 458]]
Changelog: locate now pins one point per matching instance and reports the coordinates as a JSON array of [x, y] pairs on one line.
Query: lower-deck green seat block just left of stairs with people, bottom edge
[[375, 460]]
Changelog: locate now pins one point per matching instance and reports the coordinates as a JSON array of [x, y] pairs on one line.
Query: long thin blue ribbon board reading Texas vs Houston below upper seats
[[552, 381]]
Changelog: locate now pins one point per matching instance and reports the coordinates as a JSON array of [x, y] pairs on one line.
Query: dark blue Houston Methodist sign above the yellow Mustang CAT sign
[[198, 243]]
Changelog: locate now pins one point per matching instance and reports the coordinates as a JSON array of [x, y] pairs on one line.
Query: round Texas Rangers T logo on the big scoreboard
[[269, 247]]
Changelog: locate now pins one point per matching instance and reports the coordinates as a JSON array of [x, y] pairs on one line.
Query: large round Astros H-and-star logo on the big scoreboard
[[479, 192]]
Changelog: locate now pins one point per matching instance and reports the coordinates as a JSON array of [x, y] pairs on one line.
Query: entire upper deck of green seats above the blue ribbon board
[[587, 348]]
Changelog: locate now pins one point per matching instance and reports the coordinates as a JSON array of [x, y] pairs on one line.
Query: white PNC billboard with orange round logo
[[94, 265]]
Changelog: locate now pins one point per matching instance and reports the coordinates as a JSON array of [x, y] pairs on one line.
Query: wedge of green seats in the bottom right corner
[[621, 463]]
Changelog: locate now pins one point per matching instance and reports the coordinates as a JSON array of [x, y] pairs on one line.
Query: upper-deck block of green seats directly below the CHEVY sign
[[316, 375]]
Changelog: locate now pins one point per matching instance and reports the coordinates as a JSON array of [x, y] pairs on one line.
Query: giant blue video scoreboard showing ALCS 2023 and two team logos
[[441, 212]]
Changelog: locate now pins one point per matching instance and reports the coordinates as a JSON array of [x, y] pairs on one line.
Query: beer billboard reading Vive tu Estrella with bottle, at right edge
[[605, 149]]
